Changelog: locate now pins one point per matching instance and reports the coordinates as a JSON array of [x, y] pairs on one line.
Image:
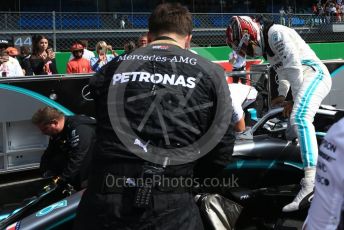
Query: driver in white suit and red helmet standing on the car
[[297, 66]]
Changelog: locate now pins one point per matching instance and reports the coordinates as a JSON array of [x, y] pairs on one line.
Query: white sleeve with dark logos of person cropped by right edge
[[328, 201]]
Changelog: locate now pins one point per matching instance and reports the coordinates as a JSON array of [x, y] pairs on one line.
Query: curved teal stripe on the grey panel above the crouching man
[[39, 97]]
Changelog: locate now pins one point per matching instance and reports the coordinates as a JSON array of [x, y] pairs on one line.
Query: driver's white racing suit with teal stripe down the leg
[[298, 67]]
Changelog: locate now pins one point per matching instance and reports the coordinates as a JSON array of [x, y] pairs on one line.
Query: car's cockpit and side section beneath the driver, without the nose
[[267, 168]]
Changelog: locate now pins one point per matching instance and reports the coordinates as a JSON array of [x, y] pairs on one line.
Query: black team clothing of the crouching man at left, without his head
[[69, 153]]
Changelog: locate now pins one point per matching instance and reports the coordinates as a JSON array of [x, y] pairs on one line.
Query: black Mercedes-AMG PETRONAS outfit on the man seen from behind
[[169, 207]]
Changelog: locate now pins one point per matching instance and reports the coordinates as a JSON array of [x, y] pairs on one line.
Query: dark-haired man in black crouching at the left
[[70, 146]]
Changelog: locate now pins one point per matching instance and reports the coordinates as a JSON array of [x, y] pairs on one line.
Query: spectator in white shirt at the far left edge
[[9, 67]]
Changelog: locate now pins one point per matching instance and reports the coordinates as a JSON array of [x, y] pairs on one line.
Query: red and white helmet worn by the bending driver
[[243, 34]]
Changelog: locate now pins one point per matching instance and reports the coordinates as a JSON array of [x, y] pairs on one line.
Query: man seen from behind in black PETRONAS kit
[[159, 109]]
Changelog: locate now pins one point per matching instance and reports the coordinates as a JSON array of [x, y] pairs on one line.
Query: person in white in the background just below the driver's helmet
[[238, 60]]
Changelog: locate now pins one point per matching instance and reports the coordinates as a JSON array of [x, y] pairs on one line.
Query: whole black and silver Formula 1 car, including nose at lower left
[[266, 166]]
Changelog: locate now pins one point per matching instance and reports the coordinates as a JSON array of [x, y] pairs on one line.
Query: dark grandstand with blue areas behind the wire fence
[[64, 21]]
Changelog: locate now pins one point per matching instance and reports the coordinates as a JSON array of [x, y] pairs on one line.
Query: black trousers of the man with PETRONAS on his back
[[168, 211]]
